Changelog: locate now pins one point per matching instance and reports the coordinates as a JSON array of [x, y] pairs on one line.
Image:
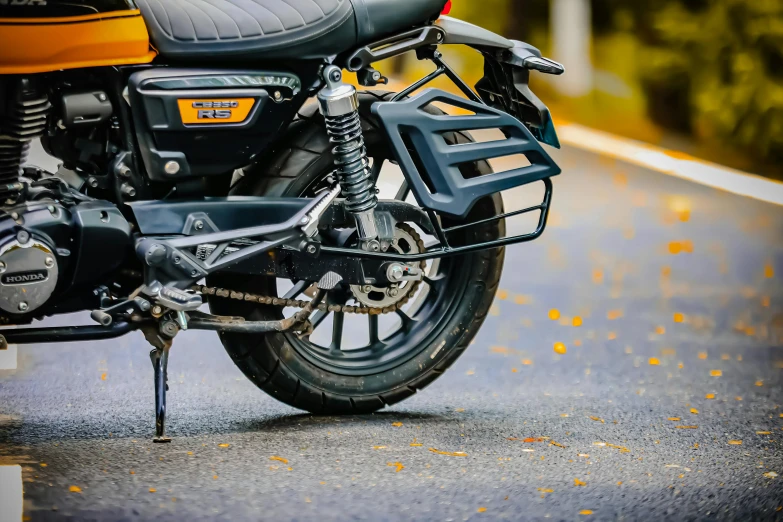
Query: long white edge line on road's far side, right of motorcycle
[[673, 164]]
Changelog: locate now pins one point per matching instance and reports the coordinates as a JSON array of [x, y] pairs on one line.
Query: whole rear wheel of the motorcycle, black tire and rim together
[[361, 363]]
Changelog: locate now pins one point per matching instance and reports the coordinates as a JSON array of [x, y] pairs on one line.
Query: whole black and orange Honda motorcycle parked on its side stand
[[195, 173]]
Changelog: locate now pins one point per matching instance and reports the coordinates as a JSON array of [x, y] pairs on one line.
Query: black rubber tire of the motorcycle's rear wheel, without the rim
[[280, 365]]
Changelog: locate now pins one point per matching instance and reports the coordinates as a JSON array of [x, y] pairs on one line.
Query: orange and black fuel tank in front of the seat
[[49, 35]]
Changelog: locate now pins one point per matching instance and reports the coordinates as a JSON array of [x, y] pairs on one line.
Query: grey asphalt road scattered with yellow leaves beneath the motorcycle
[[677, 359]]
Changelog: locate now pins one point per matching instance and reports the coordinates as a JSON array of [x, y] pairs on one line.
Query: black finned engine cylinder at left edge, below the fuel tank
[[22, 119]]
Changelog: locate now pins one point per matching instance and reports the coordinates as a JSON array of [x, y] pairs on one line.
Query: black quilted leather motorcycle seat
[[272, 29]]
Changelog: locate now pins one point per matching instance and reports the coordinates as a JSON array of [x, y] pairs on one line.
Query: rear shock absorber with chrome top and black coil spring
[[340, 107]]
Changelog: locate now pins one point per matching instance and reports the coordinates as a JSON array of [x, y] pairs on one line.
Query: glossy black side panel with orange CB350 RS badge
[[208, 121]]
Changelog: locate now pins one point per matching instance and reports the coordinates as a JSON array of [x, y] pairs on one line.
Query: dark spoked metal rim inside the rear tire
[[418, 323]]
